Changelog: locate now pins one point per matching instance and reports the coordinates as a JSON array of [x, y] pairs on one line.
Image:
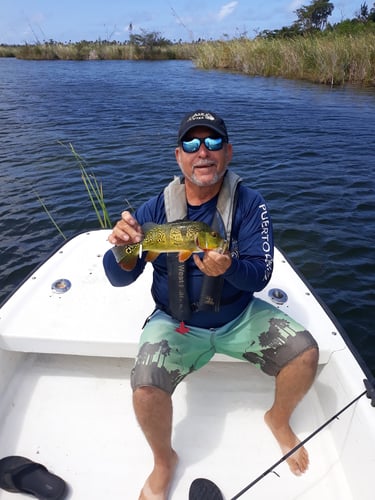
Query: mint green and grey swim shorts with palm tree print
[[261, 334]]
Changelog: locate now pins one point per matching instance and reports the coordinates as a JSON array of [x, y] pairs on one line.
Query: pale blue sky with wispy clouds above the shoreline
[[37, 20]]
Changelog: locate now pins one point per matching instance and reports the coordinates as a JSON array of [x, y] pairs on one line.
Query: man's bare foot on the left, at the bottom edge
[[157, 484]]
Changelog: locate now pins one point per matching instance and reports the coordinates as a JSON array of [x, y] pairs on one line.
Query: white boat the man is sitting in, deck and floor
[[67, 342]]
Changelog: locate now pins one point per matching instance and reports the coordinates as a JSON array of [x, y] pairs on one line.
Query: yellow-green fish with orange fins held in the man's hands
[[182, 237]]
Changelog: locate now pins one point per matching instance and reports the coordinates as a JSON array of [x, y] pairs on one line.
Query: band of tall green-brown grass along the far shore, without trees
[[331, 57]]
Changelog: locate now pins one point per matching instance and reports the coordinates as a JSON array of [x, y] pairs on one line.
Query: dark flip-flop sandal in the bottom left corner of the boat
[[21, 475]]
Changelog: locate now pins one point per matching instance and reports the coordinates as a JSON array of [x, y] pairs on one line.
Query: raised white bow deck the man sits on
[[78, 322]]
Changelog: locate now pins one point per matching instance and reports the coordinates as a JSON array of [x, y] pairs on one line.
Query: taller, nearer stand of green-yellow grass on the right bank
[[331, 59]]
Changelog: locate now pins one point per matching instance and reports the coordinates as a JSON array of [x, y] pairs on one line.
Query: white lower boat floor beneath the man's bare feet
[[84, 429]]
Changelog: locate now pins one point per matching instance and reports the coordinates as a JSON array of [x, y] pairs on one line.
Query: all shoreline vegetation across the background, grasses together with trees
[[310, 49]]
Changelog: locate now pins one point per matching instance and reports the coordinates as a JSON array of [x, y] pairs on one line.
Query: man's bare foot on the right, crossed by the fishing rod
[[299, 461]]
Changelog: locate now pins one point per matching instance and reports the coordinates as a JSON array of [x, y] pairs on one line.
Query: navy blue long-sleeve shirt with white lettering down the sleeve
[[252, 257]]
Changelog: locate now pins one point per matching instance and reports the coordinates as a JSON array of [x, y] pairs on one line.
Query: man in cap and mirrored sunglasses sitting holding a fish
[[193, 328]]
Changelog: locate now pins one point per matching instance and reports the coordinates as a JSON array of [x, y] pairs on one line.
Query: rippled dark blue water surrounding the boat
[[307, 148]]
